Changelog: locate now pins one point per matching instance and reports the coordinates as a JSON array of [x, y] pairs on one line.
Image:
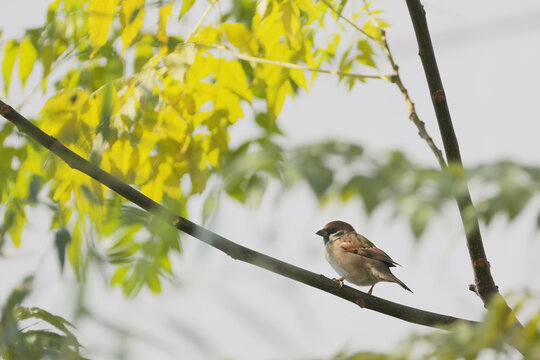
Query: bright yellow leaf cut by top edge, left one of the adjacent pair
[[101, 15]]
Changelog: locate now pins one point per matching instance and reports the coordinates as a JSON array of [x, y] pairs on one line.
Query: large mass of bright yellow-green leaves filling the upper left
[[154, 108]]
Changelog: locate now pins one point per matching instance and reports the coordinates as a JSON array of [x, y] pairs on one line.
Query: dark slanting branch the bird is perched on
[[230, 248]]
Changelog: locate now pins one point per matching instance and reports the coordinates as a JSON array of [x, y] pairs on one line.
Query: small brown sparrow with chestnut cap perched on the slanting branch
[[355, 258]]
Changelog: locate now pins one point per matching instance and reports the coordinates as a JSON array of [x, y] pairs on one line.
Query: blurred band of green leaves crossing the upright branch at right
[[343, 172]]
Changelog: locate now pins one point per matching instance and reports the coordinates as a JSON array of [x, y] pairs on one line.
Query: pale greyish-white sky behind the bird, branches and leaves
[[488, 54]]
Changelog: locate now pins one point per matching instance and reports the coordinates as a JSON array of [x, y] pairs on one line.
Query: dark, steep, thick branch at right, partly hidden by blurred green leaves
[[484, 284]]
